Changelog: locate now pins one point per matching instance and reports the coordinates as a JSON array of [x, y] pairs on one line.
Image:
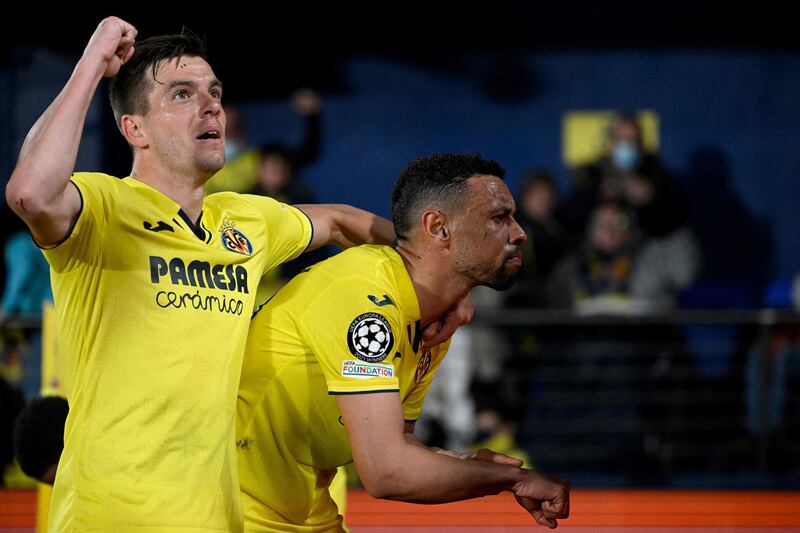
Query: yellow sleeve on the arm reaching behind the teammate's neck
[[288, 230]]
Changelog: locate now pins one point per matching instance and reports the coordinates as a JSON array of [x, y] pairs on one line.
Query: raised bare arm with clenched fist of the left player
[[38, 189]]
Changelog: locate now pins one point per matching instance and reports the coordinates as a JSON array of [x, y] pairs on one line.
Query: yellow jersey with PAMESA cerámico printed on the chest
[[153, 312]]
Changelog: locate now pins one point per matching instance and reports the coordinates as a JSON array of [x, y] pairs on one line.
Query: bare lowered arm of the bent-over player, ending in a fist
[[394, 467]]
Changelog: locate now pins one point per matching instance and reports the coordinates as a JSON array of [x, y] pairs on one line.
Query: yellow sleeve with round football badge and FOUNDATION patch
[[353, 339]]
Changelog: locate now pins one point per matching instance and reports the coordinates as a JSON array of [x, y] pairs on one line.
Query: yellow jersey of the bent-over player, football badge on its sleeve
[[348, 325]]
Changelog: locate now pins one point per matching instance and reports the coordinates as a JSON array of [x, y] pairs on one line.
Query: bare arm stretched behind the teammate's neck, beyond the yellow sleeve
[[346, 226]]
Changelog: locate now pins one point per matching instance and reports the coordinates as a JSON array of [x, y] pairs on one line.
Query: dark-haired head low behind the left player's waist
[[39, 437]]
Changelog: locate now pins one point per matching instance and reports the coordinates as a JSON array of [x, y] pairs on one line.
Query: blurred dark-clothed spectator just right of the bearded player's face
[[546, 245]]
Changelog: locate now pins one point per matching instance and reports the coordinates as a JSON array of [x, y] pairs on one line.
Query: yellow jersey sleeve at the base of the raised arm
[[84, 243]]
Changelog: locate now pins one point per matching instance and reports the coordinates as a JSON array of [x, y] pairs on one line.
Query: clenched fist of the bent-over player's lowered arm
[[545, 498]]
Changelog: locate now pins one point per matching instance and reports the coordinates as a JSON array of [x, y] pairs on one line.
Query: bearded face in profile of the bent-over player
[[487, 240]]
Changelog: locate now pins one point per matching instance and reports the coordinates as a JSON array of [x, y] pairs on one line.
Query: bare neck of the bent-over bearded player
[[436, 286]]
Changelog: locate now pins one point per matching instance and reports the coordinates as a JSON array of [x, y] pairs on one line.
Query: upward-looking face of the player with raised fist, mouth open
[[185, 122]]
